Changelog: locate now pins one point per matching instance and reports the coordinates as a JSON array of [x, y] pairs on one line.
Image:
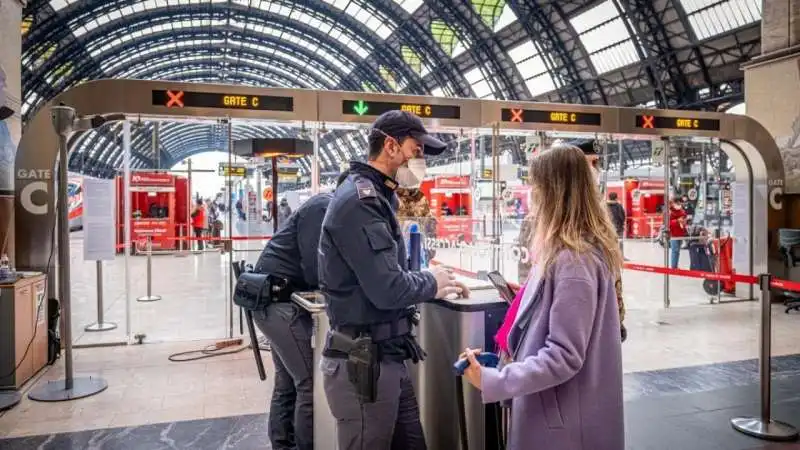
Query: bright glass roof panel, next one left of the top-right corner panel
[[604, 35]]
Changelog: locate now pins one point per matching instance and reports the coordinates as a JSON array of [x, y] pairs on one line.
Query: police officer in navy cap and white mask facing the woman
[[371, 294]]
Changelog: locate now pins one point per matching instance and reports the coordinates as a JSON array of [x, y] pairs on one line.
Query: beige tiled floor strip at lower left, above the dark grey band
[[144, 387]]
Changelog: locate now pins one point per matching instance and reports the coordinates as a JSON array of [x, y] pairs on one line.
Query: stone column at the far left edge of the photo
[[11, 123]]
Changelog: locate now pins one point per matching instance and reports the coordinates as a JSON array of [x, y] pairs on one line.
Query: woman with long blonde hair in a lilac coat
[[564, 374]]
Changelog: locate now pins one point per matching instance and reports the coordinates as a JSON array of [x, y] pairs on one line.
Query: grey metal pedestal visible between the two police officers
[[324, 423]]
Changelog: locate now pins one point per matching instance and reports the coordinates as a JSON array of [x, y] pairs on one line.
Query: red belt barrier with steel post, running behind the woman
[[763, 426]]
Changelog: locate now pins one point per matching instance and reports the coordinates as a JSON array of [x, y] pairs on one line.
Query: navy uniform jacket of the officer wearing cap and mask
[[362, 255]]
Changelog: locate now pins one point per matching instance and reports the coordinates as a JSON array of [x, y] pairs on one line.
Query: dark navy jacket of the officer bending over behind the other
[[292, 252]]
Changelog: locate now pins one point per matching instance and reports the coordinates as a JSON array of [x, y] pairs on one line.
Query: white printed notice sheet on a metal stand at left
[[99, 217]]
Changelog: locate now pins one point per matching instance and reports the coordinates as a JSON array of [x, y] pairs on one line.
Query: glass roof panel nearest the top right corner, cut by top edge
[[710, 18]]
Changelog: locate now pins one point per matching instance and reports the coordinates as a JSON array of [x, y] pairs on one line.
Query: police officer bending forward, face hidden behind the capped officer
[[291, 257]]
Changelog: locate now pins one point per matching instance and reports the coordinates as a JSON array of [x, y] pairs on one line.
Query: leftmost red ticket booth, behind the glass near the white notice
[[159, 207]]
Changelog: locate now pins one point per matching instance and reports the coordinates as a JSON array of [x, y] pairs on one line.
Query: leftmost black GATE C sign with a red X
[[186, 99]]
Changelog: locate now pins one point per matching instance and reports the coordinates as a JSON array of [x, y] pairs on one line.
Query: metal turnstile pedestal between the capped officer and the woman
[[446, 328]]
